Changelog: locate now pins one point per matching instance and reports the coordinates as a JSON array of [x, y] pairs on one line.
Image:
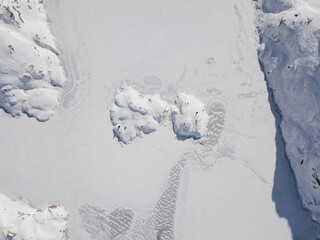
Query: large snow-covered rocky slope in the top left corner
[[31, 73]]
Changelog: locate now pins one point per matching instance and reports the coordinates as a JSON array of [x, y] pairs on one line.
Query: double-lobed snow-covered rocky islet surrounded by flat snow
[[134, 114]]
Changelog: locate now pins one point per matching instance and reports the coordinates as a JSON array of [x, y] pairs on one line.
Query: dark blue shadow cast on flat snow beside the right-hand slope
[[284, 192]]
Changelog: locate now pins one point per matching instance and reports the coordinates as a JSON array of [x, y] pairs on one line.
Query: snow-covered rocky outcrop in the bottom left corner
[[19, 221]]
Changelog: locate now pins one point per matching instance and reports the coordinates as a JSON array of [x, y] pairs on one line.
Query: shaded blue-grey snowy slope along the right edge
[[289, 56]]
